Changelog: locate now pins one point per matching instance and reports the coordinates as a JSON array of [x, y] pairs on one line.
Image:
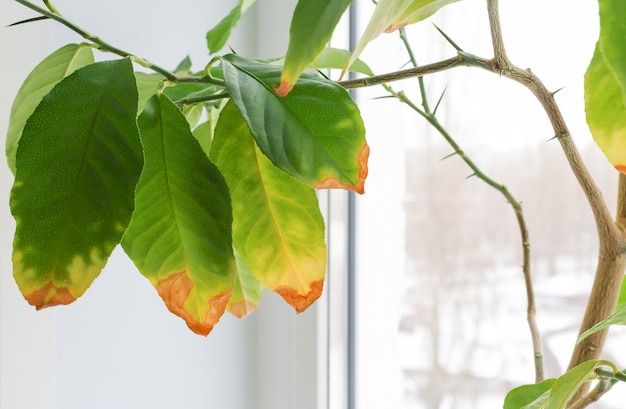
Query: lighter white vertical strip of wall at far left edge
[[27, 339]]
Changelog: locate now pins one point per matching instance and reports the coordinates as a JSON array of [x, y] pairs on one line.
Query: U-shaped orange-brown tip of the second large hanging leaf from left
[[174, 291]]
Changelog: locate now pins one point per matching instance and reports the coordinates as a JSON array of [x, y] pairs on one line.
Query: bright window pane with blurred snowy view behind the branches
[[441, 303]]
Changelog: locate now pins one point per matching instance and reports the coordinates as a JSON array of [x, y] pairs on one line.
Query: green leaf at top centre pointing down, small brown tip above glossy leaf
[[312, 26]]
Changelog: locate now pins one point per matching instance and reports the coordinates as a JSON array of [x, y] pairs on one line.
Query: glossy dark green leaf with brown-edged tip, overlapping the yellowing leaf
[[315, 134]]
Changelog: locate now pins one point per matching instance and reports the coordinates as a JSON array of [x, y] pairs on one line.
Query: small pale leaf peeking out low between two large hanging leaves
[[247, 292]]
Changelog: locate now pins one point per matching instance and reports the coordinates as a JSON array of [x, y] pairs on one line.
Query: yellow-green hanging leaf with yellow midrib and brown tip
[[277, 229]]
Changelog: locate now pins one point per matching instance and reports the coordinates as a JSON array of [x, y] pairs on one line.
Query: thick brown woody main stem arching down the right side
[[611, 235]]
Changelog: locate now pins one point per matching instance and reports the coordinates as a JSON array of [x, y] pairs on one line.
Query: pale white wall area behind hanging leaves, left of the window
[[118, 346]]
